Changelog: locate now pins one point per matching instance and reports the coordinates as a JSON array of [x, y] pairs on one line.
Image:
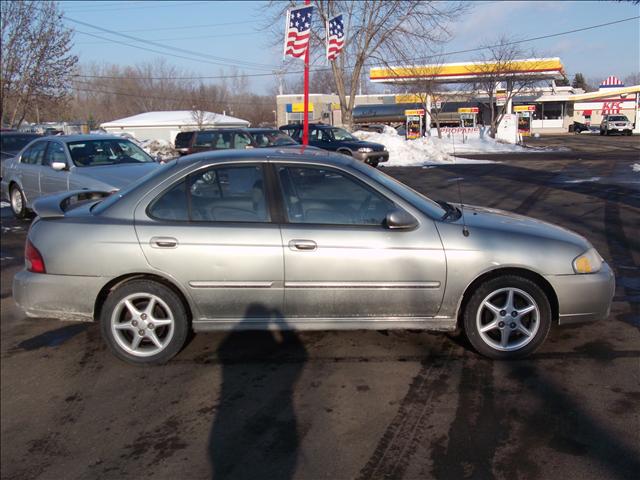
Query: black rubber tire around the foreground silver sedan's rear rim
[[176, 338]]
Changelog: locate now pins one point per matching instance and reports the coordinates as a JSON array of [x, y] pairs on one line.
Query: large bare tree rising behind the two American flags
[[375, 32]]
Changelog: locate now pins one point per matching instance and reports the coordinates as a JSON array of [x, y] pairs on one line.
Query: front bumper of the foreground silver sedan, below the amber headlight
[[584, 297]]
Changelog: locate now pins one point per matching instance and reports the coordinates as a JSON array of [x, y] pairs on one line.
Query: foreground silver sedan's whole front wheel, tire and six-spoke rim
[[507, 317]]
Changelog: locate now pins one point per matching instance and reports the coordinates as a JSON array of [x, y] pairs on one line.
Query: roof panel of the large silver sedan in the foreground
[[292, 153]]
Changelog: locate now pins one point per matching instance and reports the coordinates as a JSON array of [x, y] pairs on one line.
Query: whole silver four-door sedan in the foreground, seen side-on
[[295, 239]]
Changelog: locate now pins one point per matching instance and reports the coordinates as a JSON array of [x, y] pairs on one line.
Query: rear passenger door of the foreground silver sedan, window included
[[212, 232]]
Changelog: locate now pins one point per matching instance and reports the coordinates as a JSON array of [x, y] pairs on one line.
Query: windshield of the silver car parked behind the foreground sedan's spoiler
[[94, 153]]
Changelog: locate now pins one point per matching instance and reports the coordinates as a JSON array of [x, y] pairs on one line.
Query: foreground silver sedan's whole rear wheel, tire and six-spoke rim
[[144, 322]]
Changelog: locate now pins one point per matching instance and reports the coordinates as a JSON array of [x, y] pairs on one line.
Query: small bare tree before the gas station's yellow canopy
[[497, 72]]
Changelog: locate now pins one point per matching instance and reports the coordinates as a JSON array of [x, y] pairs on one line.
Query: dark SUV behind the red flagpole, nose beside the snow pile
[[339, 140]]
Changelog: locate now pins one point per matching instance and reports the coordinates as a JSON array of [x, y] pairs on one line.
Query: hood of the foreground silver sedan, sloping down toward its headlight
[[513, 223]]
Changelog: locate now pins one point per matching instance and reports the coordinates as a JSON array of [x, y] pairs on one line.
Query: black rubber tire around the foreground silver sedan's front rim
[[472, 312]]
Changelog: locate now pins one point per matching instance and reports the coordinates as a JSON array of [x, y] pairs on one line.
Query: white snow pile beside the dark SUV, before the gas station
[[432, 150]]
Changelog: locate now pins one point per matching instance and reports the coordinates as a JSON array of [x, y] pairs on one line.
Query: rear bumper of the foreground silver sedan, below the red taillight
[[64, 297]]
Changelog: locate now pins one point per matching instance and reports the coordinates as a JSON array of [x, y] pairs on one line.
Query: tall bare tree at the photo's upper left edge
[[36, 64]]
